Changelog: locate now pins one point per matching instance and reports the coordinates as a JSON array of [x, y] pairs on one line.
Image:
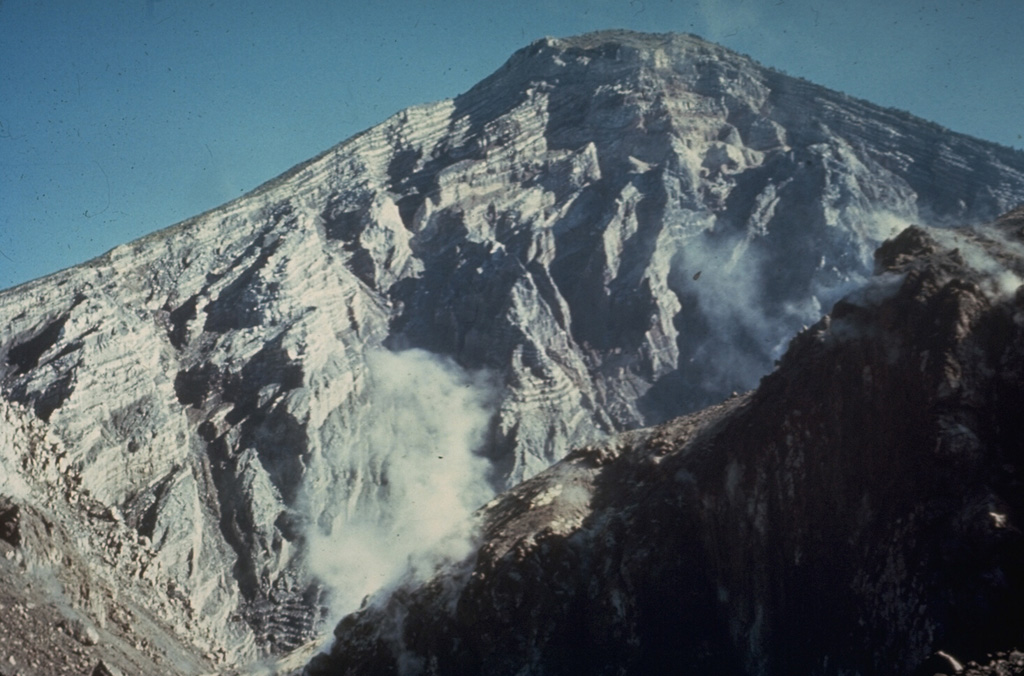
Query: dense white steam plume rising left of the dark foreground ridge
[[405, 477]]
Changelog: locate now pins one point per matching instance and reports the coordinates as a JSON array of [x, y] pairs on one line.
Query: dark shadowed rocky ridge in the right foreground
[[860, 513]]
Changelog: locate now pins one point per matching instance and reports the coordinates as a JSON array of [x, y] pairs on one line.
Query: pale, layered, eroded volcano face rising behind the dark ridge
[[609, 232]]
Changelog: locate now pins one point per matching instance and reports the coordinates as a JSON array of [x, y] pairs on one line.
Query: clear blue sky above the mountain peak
[[121, 117]]
